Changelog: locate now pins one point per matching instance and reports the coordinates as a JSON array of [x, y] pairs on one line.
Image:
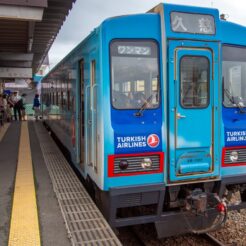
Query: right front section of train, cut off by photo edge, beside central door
[[234, 114]]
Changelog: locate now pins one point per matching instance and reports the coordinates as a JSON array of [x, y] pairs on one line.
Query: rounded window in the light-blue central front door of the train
[[194, 81]]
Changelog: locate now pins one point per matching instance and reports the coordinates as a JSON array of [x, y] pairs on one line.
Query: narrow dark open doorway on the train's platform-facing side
[[82, 114]]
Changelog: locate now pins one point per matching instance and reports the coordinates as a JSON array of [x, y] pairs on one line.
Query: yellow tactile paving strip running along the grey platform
[[24, 226]]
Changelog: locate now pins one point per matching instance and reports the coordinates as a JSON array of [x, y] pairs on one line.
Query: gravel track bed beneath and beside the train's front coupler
[[232, 234]]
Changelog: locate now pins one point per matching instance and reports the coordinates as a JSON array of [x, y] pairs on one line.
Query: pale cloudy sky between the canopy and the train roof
[[88, 14]]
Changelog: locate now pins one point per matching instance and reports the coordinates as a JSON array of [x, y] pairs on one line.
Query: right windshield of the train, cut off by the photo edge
[[234, 76]]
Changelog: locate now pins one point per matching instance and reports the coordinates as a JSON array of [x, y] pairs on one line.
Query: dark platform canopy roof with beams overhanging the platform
[[27, 31]]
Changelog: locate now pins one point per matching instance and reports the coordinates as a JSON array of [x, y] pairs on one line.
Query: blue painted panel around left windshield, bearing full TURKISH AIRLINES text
[[128, 134]]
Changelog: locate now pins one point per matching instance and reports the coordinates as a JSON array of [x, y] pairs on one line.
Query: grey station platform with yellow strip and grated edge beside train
[[42, 201]]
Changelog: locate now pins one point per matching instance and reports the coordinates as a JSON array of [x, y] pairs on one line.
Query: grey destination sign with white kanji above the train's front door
[[192, 23]]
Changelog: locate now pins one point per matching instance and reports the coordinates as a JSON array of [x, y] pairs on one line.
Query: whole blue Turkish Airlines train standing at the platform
[[151, 108]]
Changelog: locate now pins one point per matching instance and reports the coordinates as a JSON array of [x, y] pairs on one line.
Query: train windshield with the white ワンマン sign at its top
[[134, 74]]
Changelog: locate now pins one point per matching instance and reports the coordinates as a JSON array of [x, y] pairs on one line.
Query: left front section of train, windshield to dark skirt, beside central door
[[134, 131]]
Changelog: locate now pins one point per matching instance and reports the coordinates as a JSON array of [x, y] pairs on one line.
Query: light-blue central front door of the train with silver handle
[[193, 112]]
